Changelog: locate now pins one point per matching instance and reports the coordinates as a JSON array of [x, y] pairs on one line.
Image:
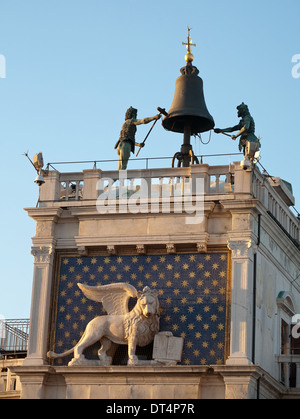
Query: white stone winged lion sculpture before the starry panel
[[121, 326]]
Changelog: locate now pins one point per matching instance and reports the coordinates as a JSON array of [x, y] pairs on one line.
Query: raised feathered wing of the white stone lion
[[114, 297]]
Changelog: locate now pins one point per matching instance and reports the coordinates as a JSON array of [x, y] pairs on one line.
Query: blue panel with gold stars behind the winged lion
[[193, 294]]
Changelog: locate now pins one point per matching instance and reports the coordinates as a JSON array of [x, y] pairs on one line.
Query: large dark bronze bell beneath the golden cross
[[188, 109]]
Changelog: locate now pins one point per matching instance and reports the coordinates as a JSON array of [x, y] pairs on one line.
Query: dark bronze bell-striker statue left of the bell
[[126, 142]]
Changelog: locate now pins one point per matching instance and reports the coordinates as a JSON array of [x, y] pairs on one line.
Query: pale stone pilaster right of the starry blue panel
[[241, 302]]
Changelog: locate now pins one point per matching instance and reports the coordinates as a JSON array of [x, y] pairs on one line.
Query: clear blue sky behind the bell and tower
[[74, 66]]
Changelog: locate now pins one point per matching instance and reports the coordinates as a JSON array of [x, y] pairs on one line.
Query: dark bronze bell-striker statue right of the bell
[[246, 128]]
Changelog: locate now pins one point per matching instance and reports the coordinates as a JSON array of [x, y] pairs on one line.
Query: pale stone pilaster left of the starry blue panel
[[40, 305]]
